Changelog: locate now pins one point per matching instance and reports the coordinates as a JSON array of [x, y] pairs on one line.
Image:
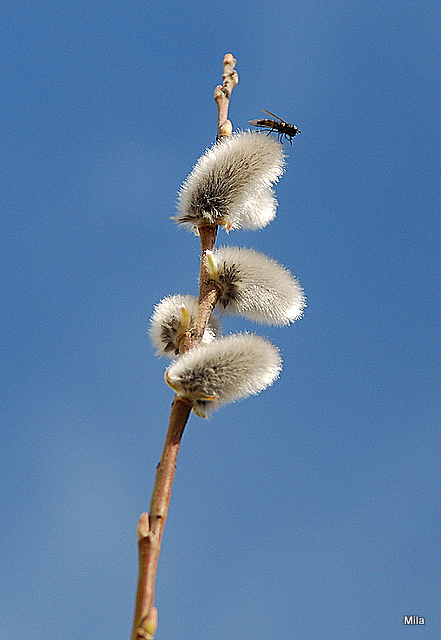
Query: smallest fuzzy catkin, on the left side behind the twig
[[171, 318]]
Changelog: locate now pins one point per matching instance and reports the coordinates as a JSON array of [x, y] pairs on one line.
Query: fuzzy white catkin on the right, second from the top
[[256, 286]]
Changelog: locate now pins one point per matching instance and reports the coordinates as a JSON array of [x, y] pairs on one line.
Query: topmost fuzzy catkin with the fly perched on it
[[231, 183]]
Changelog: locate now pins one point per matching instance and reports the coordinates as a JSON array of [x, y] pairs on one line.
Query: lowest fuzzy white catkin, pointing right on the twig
[[225, 370]]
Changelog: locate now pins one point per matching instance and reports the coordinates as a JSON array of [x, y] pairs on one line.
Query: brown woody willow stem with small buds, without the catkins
[[151, 527]]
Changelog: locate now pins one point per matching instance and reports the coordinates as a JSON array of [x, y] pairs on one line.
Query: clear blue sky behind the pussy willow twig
[[311, 511]]
